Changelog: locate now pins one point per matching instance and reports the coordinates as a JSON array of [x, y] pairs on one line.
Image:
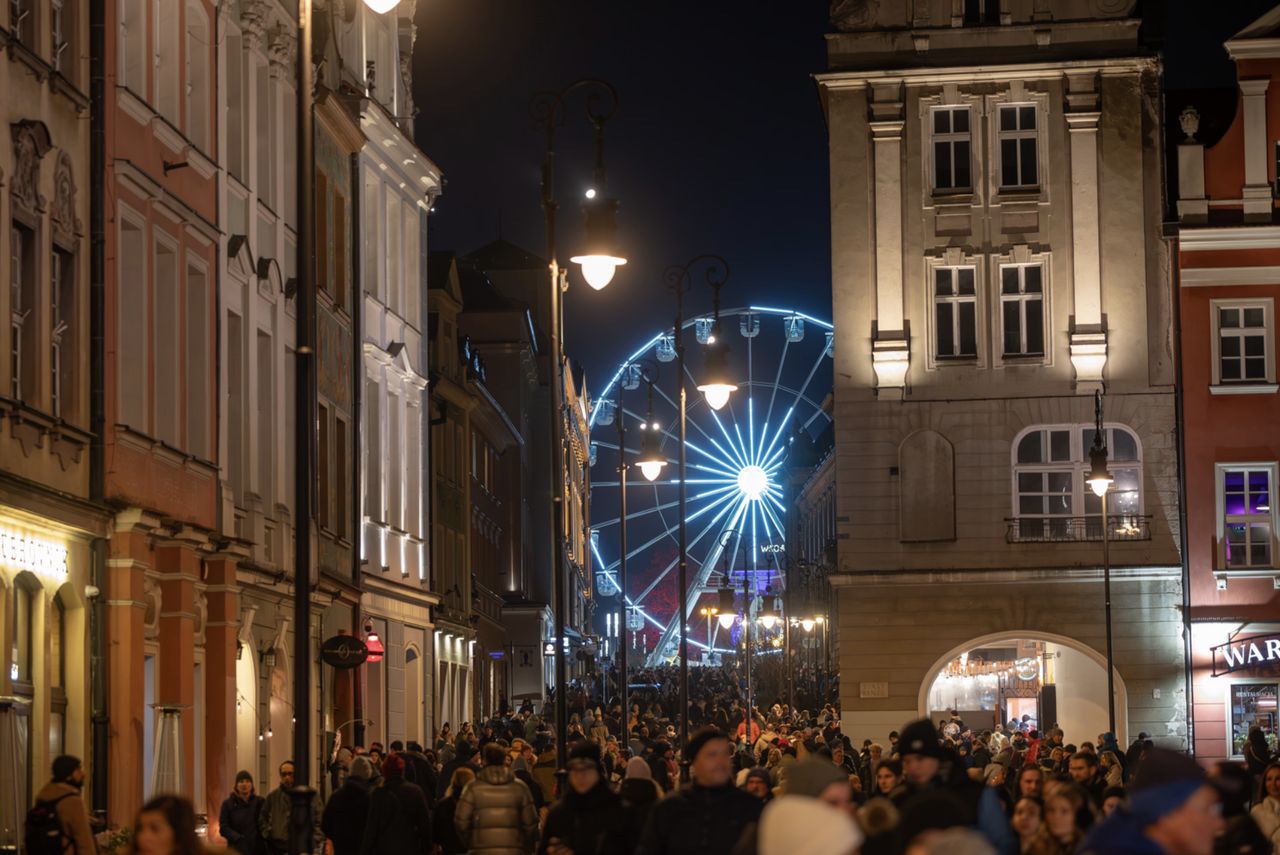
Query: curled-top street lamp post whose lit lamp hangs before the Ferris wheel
[[717, 388]]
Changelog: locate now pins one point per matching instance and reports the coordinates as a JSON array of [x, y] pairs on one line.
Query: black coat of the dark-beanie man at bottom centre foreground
[[700, 821]]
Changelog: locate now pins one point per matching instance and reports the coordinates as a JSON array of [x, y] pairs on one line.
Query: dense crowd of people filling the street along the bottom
[[775, 783]]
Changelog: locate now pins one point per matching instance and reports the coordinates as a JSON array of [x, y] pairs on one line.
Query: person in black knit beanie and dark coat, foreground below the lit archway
[[930, 771]]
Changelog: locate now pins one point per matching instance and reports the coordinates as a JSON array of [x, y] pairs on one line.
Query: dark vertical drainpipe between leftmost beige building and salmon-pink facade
[[98, 399]]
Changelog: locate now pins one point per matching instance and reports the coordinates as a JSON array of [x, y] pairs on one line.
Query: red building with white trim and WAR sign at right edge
[[1228, 257]]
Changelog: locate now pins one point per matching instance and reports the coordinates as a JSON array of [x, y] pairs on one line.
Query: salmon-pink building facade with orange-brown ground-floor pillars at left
[[170, 587]]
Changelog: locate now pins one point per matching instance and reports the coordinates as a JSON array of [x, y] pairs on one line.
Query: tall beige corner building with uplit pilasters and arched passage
[[996, 211]]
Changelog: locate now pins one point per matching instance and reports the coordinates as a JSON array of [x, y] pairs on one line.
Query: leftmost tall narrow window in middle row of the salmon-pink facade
[[131, 350]]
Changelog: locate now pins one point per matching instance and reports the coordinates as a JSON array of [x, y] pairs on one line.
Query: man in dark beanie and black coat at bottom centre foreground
[[710, 816]]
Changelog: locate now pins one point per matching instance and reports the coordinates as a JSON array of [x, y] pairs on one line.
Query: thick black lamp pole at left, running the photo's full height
[[301, 838]]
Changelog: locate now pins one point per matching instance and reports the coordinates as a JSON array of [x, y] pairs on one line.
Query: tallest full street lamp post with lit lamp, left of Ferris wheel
[[598, 264]]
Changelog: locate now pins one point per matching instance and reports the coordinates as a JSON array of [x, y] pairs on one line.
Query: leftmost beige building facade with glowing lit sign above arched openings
[[52, 531]]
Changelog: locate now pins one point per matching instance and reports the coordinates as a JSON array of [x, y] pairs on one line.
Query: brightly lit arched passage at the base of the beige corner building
[[1034, 680]]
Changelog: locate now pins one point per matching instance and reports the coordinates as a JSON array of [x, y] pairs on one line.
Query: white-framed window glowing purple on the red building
[[1247, 522]]
